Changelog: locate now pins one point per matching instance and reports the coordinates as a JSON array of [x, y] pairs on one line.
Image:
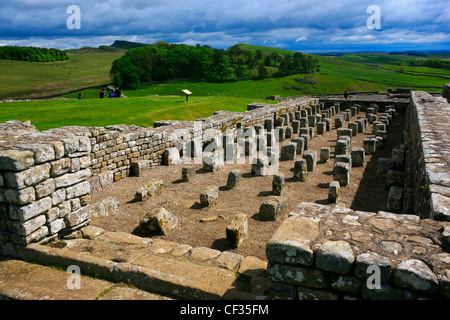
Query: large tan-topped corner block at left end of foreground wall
[[291, 242]]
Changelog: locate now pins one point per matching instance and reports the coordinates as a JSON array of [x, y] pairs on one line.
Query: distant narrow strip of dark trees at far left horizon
[[34, 54]]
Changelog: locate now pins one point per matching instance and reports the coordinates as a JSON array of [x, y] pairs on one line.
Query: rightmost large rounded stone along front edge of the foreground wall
[[416, 275]]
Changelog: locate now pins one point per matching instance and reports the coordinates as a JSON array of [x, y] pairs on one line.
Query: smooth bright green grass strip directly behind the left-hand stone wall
[[140, 111]]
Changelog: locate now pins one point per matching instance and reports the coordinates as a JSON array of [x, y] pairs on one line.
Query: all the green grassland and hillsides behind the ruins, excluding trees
[[90, 67]]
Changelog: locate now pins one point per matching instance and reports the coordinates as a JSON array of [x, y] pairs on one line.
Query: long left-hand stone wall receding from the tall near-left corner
[[46, 178]]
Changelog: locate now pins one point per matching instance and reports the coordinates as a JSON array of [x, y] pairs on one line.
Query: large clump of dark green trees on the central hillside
[[178, 61]]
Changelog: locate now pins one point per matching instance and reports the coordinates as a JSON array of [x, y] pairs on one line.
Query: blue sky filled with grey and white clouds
[[301, 25]]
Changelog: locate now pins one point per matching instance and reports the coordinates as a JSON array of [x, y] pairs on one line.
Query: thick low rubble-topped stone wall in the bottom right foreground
[[329, 252]]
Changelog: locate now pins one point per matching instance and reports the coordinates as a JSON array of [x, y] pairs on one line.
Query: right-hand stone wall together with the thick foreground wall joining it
[[331, 252]]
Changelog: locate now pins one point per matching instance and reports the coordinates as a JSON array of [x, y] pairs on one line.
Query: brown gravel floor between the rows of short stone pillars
[[366, 191]]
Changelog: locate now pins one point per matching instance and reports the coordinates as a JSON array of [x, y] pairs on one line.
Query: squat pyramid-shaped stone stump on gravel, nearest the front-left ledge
[[158, 221]]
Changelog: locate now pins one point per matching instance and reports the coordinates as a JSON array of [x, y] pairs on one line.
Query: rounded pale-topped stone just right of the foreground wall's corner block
[[335, 256]]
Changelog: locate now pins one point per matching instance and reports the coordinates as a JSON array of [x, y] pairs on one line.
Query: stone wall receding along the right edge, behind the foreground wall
[[429, 144]]
